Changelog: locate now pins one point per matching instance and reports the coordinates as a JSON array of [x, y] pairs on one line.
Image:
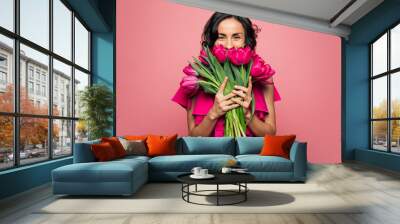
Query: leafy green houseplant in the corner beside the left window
[[96, 102]]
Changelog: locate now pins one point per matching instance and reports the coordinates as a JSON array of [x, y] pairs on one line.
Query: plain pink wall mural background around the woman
[[155, 40]]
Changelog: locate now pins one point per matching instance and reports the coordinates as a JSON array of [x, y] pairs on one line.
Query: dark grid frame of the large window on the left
[[16, 114]]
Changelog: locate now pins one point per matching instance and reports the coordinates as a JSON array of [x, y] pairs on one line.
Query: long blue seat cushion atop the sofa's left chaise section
[[111, 171]]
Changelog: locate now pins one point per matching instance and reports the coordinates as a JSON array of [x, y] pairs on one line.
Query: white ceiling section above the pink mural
[[324, 16]]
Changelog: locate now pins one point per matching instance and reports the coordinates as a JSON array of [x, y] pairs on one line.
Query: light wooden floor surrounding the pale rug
[[353, 182]]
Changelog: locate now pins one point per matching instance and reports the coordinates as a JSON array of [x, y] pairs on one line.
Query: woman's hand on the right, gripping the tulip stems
[[244, 99]]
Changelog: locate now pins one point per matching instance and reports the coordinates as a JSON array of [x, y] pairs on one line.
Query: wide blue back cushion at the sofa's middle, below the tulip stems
[[207, 145]]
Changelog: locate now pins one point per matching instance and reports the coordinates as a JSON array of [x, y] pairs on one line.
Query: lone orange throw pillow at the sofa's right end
[[277, 145]]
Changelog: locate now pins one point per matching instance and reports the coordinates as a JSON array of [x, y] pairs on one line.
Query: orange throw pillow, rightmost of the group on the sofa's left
[[161, 145]]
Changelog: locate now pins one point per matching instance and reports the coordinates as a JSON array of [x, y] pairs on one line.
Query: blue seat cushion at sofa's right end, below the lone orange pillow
[[257, 163]]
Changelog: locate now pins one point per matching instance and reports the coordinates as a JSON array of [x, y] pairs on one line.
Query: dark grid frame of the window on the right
[[388, 74]]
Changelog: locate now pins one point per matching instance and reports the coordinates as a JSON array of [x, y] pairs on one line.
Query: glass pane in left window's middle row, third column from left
[[62, 89]]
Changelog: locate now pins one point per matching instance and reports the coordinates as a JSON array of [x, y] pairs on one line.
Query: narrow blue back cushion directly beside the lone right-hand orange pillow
[[249, 145]]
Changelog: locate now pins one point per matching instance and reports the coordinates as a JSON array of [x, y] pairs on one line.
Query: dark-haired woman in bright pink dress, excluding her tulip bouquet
[[205, 112]]
